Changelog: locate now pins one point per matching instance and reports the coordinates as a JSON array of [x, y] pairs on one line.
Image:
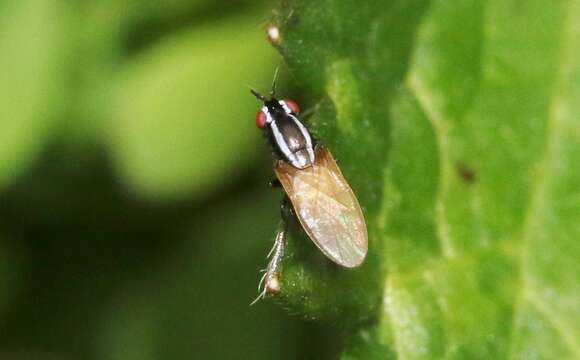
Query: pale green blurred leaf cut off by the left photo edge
[[31, 59]]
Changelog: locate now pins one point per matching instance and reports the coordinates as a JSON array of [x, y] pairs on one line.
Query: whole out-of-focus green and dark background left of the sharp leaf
[[134, 212]]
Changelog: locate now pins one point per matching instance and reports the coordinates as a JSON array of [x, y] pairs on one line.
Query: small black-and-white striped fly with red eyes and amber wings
[[316, 193]]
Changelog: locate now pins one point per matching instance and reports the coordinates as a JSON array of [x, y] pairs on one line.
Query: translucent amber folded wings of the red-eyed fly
[[327, 208]]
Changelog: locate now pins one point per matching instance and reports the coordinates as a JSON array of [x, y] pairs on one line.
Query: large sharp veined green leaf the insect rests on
[[457, 125]]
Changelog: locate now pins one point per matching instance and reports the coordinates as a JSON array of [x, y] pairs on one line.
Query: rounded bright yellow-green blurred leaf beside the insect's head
[[183, 119]]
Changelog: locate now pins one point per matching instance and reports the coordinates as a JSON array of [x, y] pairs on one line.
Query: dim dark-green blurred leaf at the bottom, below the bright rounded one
[[198, 307]]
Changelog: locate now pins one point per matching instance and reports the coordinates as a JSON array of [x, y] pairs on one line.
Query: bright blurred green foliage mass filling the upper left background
[[157, 100]]
